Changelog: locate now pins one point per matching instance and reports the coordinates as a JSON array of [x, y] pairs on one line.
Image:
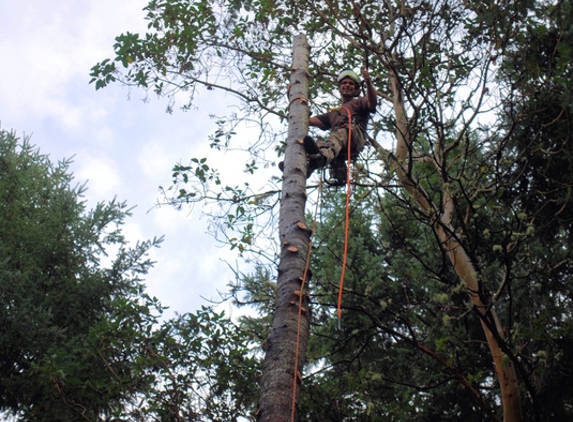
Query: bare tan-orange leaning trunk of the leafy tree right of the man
[[460, 260]]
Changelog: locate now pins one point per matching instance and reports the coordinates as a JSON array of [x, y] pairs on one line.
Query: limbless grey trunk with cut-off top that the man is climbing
[[280, 387]]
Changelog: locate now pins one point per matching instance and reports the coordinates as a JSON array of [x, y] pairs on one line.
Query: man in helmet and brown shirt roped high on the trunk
[[346, 123]]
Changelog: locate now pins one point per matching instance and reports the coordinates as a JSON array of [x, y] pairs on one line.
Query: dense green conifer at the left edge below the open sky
[[59, 305]]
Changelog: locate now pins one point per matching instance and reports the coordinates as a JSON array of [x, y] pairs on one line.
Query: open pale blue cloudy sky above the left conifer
[[123, 145]]
